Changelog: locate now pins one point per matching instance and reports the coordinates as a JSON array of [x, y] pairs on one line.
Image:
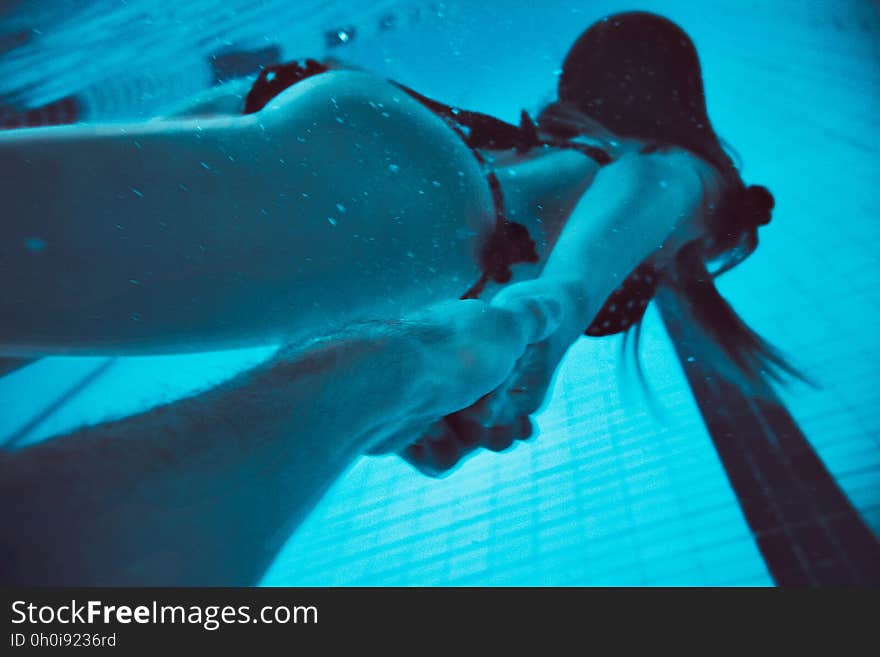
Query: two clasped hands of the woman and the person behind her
[[488, 368]]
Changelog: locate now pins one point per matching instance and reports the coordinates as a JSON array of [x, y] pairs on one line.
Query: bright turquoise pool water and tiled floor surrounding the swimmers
[[614, 490]]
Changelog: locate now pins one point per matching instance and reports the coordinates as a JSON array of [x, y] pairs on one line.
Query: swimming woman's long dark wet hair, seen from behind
[[637, 75]]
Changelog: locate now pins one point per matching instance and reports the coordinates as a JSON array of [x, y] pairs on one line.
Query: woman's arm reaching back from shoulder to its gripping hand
[[640, 207]]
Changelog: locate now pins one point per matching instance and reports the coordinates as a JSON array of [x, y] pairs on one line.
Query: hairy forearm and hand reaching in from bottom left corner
[[204, 491]]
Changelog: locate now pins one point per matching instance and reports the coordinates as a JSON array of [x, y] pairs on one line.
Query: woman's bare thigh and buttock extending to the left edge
[[342, 199]]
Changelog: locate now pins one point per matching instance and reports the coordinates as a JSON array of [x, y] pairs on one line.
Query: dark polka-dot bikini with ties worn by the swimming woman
[[510, 242]]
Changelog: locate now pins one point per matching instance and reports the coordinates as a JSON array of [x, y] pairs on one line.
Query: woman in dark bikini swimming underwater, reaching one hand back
[[334, 196]]
